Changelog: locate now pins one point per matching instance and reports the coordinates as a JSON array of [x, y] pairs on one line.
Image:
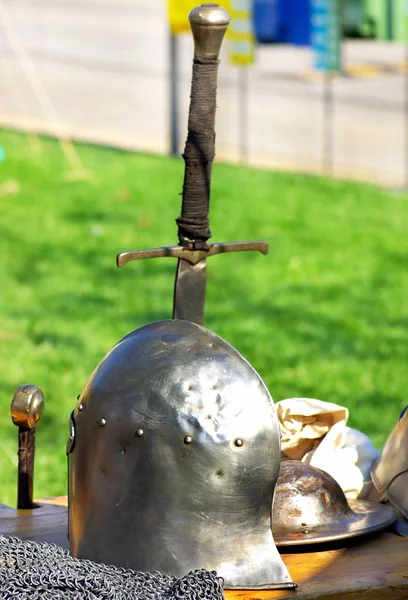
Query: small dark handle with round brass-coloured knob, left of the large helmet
[[27, 407]]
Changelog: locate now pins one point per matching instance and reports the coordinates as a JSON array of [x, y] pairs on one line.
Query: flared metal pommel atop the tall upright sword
[[208, 23]]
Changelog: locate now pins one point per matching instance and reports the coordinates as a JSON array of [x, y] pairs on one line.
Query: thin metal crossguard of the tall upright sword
[[191, 256]]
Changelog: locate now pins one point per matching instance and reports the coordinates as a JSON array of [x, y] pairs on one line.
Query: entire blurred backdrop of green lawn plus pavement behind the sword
[[312, 156]]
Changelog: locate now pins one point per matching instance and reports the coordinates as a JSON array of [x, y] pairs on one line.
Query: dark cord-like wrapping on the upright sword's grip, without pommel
[[199, 152]]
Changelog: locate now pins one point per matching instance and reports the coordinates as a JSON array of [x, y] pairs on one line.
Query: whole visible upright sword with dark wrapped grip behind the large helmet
[[208, 24]]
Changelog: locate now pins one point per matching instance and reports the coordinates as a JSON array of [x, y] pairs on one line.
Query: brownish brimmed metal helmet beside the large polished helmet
[[310, 507]]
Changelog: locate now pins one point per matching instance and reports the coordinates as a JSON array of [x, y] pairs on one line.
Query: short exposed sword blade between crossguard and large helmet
[[189, 291]]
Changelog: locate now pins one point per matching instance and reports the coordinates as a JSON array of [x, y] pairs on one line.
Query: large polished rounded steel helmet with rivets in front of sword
[[185, 495]]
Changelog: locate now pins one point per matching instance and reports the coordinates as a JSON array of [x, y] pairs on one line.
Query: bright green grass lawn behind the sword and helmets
[[324, 315]]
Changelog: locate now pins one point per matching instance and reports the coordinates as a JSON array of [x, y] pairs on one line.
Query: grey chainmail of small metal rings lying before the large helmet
[[33, 571]]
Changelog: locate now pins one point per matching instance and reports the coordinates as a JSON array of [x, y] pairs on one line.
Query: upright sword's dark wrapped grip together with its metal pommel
[[208, 24]]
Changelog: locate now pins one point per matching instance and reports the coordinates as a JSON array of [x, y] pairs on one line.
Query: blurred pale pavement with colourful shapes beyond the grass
[[276, 107]]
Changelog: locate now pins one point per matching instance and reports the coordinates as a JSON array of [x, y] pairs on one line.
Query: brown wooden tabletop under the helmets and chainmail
[[365, 568]]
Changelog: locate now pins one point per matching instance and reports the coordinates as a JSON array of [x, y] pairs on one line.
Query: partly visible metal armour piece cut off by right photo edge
[[389, 472]]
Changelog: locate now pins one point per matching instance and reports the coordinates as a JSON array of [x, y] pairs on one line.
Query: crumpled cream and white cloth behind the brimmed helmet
[[316, 433]]
